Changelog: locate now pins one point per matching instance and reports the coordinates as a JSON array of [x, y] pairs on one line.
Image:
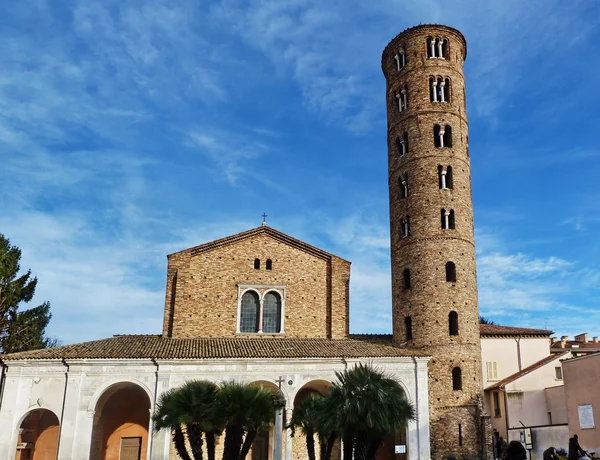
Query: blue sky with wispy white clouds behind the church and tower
[[133, 129]]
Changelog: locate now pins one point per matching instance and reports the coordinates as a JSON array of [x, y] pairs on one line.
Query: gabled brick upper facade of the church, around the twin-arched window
[[202, 286]]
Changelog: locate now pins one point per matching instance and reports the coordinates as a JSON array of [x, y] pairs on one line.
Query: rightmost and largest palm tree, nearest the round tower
[[370, 406]]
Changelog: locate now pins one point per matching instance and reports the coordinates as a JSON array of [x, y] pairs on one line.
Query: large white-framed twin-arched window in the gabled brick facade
[[261, 309]]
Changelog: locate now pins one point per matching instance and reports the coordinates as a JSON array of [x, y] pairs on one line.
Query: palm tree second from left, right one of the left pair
[[246, 410]]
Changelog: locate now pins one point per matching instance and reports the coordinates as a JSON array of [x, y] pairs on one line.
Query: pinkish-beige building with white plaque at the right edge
[[582, 390]]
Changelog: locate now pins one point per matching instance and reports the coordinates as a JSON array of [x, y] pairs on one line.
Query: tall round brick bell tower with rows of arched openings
[[434, 288]]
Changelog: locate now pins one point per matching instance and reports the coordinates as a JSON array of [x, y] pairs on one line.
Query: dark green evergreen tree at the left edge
[[19, 330]]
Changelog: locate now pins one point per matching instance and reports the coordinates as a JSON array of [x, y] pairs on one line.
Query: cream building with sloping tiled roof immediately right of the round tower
[[523, 386]]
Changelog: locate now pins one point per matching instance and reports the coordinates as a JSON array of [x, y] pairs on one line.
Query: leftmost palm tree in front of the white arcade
[[194, 406]]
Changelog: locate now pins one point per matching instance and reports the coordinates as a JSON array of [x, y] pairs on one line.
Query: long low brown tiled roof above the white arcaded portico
[[160, 347]]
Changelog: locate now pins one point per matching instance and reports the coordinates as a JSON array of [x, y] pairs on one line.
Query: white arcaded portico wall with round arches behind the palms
[[71, 389]]
